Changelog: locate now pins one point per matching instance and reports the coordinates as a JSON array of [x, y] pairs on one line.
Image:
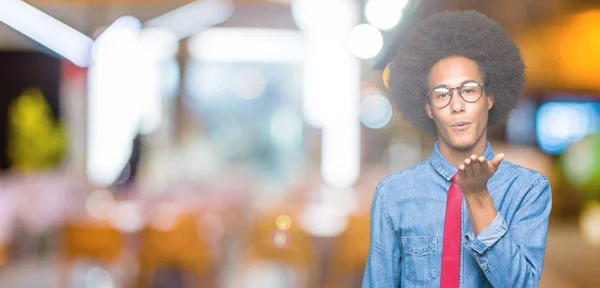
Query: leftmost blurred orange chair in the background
[[98, 242]]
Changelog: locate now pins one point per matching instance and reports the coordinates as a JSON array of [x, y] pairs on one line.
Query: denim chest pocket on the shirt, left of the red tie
[[421, 263]]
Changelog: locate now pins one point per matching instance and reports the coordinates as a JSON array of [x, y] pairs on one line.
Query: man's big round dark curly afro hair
[[456, 33]]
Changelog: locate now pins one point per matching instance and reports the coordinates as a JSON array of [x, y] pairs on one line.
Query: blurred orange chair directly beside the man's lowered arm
[[351, 252]]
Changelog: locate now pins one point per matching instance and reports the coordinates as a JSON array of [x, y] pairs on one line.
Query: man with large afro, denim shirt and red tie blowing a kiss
[[463, 217]]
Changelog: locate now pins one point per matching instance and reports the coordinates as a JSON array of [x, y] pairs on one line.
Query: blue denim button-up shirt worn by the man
[[407, 224]]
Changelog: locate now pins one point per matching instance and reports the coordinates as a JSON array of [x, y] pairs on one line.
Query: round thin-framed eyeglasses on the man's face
[[441, 96]]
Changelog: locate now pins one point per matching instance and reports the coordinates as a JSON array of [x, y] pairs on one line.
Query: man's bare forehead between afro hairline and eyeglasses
[[453, 71]]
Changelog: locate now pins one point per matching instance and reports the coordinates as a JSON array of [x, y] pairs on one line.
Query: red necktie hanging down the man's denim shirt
[[451, 246]]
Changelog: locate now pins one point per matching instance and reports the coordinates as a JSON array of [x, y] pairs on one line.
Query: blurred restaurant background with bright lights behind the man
[[237, 143]]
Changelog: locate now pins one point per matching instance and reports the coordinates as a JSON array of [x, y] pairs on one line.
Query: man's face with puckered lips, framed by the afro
[[450, 73]]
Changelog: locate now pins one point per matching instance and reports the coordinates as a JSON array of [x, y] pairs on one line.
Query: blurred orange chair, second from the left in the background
[[178, 248]]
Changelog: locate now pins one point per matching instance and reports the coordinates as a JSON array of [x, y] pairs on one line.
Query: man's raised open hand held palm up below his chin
[[475, 172]]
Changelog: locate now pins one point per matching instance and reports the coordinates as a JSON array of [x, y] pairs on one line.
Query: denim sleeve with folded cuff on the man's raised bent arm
[[513, 256]]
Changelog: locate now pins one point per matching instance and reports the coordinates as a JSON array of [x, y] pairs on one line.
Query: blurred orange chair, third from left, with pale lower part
[[289, 253]]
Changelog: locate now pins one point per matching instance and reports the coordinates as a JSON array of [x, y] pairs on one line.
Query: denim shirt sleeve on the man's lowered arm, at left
[[383, 263]]
